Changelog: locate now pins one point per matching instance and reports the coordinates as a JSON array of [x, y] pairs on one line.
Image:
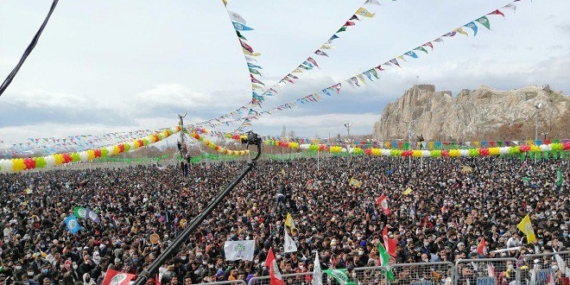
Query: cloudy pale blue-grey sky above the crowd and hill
[[107, 66]]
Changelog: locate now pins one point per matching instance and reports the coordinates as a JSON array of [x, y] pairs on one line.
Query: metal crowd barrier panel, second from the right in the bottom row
[[487, 271]]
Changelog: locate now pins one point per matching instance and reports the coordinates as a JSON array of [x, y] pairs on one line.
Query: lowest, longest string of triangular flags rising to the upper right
[[373, 73]]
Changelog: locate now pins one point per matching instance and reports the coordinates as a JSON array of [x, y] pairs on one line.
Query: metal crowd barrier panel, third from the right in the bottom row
[[425, 273]]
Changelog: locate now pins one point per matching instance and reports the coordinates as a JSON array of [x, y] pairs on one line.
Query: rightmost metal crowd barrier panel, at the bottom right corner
[[537, 268]]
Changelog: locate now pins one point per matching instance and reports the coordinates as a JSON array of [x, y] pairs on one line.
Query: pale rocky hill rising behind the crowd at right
[[484, 113]]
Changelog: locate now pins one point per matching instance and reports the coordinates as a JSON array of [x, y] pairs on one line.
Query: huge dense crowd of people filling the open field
[[449, 206]]
